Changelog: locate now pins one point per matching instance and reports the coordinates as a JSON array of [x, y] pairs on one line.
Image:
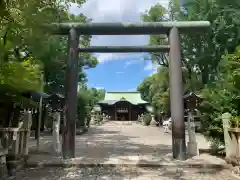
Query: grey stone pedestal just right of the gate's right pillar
[[192, 144]]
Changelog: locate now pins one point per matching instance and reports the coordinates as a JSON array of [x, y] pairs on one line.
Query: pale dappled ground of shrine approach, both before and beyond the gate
[[123, 143]]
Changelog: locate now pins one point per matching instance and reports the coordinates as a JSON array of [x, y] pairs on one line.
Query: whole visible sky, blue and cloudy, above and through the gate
[[119, 71]]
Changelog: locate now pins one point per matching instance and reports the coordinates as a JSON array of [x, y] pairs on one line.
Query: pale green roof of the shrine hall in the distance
[[132, 97]]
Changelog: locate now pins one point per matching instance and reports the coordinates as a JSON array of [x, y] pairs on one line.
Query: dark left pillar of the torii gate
[[71, 95]]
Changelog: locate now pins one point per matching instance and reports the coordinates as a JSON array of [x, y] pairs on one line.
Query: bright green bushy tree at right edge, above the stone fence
[[223, 97]]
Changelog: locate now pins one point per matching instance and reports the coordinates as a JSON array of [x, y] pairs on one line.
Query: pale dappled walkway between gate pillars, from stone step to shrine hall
[[121, 143]]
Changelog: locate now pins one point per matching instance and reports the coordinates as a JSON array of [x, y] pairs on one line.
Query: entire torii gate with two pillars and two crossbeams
[[172, 29]]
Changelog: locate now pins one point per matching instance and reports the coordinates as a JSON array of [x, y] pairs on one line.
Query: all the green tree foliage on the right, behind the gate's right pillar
[[210, 62]]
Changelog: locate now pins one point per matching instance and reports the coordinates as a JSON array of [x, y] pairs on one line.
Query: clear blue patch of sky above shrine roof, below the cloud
[[120, 75]]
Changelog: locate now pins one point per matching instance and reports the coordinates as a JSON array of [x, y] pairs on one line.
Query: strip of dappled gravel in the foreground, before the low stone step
[[124, 174]]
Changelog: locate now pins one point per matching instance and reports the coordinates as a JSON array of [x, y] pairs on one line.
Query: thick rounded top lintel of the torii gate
[[142, 28]]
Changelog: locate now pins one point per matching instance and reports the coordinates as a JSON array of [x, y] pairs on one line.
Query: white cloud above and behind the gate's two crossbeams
[[116, 11]]
